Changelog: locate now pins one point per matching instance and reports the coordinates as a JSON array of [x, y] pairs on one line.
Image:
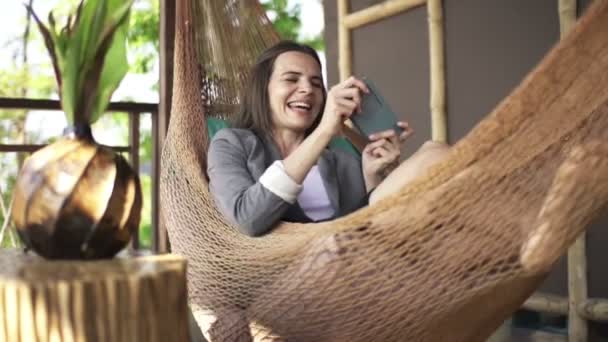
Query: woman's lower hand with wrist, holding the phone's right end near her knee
[[381, 155]]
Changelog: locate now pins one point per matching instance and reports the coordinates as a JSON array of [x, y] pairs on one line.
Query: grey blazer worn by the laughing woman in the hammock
[[237, 158]]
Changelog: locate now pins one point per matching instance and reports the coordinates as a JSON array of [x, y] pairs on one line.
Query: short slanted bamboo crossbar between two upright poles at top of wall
[[377, 12]]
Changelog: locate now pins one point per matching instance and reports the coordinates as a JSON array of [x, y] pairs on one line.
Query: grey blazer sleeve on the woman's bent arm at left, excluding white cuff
[[240, 197]]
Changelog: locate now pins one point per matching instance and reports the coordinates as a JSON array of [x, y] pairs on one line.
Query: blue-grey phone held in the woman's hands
[[376, 115]]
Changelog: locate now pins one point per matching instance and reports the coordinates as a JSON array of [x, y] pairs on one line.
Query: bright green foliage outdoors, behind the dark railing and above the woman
[[27, 80]]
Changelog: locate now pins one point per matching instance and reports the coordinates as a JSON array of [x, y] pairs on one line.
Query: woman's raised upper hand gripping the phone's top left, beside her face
[[343, 100]]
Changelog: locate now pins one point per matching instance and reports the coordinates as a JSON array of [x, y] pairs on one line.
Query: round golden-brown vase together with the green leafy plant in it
[[75, 199]]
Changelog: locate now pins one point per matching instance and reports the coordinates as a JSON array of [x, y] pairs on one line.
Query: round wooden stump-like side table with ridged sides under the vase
[[126, 299]]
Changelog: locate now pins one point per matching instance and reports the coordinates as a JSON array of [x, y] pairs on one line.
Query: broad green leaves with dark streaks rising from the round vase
[[89, 56]]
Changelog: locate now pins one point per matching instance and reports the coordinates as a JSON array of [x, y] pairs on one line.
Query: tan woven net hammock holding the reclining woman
[[447, 258]]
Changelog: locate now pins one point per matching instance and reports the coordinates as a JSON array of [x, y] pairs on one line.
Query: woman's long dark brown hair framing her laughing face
[[255, 112]]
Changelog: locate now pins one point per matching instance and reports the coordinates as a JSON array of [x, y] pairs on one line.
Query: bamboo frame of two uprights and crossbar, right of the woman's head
[[347, 22]]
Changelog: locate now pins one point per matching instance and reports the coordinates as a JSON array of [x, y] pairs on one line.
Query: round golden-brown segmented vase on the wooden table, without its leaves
[[76, 199]]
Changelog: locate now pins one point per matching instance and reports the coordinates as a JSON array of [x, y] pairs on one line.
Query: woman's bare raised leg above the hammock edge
[[428, 154]]
